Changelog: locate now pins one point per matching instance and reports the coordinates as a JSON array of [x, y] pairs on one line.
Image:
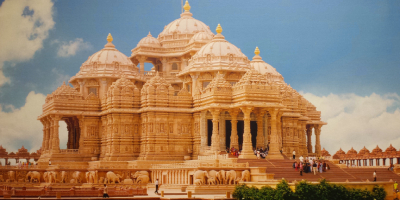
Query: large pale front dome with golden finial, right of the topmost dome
[[218, 55]]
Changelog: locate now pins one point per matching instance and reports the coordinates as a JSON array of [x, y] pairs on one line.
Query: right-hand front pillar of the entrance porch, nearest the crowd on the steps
[[274, 152]]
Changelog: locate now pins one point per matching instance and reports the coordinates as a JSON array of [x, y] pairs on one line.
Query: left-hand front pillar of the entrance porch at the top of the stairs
[[247, 150]]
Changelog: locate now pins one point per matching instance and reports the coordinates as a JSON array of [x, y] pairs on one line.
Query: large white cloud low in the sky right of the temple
[[356, 121]]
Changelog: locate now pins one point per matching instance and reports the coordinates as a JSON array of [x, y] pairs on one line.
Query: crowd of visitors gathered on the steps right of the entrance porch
[[310, 165]]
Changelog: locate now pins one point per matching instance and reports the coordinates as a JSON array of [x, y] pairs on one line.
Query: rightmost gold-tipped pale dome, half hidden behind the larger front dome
[[264, 68]]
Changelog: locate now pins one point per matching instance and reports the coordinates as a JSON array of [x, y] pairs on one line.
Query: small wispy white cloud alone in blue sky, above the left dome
[[72, 47]]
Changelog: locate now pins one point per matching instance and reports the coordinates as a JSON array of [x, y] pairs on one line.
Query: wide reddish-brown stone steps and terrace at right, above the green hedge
[[284, 169]]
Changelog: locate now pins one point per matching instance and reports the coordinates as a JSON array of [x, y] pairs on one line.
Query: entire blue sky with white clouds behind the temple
[[343, 56]]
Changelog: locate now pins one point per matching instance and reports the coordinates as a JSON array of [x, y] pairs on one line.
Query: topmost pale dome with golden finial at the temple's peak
[[184, 25]]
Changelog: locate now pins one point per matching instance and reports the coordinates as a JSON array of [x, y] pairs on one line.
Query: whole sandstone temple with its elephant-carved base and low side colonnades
[[128, 127]]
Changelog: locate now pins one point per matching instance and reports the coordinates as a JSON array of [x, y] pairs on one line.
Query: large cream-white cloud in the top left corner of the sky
[[24, 25]]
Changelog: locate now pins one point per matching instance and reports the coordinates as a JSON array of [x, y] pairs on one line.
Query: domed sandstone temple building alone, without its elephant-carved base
[[202, 96]]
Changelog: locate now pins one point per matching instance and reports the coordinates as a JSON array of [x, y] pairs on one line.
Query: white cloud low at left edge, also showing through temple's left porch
[[21, 127]]
